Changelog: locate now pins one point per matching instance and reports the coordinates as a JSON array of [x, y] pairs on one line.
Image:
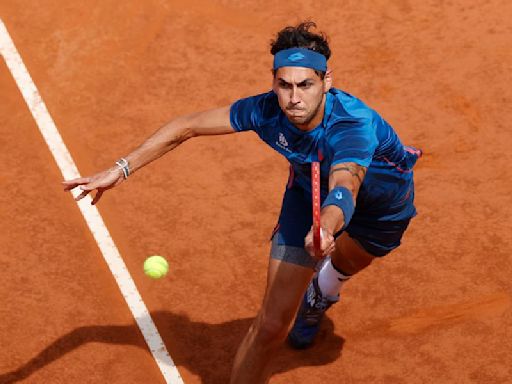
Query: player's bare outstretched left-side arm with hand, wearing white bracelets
[[212, 122]]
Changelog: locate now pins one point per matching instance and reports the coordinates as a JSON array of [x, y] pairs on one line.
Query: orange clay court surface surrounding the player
[[437, 310]]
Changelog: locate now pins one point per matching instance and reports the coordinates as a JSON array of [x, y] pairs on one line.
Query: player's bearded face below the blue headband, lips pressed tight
[[300, 92]]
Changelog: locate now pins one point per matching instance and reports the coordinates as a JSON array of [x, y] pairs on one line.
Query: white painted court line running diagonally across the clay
[[92, 217]]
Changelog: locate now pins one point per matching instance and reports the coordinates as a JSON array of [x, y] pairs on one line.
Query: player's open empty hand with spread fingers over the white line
[[101, 182]]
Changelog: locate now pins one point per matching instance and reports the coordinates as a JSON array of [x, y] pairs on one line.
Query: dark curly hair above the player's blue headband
[[301, 37]]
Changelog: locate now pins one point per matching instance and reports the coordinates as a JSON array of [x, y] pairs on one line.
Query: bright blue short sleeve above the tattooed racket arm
[[353, 141]]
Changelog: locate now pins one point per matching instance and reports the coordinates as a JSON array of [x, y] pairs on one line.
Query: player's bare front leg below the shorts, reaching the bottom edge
[[286, 283]]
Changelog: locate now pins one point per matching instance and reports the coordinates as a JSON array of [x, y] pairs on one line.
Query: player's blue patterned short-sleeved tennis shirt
[[350, 132]]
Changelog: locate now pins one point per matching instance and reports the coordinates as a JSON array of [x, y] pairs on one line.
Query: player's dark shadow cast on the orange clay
[[205, 349]]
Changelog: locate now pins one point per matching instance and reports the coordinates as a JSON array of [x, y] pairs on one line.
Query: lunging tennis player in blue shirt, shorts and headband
[[367, 189]]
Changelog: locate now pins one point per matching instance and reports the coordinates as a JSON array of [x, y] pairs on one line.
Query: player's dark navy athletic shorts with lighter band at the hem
[[295, 220]]
